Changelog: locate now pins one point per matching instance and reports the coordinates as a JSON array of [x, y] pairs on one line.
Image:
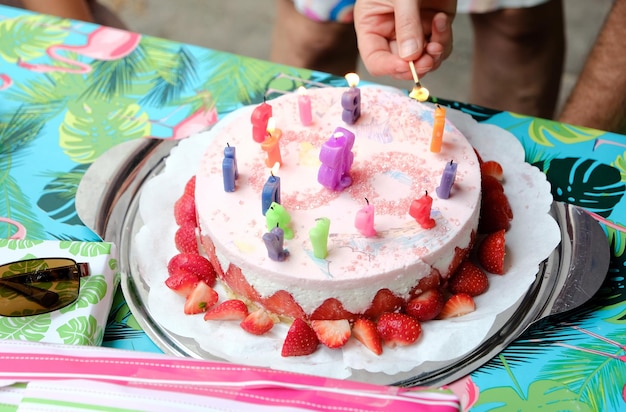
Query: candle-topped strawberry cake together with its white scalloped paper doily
[[238, 298]]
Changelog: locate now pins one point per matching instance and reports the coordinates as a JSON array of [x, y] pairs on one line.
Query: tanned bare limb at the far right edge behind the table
[[599, 98]]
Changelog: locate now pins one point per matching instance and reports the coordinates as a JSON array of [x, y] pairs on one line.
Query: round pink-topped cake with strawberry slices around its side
[[360, 269]]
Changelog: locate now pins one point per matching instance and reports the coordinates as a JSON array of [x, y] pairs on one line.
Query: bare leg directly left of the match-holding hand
[[303, 42]]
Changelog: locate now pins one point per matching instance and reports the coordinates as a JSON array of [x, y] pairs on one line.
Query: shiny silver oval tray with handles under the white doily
[[107, 201]]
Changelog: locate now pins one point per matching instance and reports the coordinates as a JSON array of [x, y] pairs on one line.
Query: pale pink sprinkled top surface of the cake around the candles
[[392, 166]]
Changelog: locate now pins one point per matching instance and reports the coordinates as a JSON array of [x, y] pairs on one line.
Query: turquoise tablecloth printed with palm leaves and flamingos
[[69, 91]]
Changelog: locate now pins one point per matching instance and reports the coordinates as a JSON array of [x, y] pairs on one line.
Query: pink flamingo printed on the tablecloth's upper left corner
[[104, 43]]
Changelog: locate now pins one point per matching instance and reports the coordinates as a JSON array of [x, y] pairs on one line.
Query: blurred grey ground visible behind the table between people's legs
[[244, 27]]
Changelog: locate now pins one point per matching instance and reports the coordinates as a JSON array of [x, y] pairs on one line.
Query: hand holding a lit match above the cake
[[391, 33]]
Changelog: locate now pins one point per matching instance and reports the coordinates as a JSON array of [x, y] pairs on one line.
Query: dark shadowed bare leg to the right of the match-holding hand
[[518, 59]]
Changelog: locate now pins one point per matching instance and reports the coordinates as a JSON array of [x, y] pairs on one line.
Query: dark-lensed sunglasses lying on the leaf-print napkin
[[36, 286]]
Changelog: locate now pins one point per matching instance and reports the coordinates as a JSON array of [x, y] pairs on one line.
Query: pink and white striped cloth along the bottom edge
[[240, 386]]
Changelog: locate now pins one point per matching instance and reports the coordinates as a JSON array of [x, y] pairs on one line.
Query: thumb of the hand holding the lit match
[[409, 32]]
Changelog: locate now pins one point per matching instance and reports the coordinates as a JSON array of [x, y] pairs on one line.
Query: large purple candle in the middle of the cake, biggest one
[[337, 157]]
